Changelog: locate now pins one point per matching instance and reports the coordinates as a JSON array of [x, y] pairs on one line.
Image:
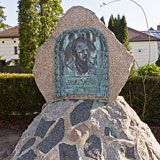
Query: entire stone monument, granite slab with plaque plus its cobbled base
[[80, 71]]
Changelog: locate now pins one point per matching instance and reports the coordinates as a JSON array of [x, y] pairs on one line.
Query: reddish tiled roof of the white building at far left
[[11, 32]]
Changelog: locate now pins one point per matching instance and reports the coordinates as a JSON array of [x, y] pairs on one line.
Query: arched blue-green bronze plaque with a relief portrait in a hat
[[81, 63]]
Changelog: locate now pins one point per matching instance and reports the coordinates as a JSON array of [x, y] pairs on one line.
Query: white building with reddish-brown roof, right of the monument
[[143, 52]]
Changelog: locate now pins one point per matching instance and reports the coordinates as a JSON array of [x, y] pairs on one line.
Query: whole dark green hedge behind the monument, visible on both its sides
[[20, 97]]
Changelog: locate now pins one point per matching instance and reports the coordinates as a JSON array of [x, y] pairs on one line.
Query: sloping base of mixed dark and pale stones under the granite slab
[[87, 130]]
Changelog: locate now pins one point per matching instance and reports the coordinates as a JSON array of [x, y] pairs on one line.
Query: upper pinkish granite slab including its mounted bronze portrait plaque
[[81, 60]]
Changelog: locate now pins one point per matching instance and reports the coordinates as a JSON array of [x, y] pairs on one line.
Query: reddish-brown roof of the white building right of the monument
[[134, 35]]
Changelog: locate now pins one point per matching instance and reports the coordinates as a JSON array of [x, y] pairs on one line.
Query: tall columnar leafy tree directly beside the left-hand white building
[[29, 22]]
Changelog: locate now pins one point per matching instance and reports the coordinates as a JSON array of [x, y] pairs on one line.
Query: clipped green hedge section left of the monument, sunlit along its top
[[19, 97]]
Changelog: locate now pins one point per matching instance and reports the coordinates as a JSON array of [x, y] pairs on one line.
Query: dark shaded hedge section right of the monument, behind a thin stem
[[134, 93]]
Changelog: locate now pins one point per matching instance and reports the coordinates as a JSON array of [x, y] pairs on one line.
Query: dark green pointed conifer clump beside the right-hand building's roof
[[119, 27]]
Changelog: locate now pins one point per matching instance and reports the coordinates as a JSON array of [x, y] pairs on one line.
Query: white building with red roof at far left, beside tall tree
[[9, 41]]
